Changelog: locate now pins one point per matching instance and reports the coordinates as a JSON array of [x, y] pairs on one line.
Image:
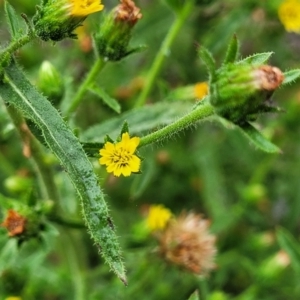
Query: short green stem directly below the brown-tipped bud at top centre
[[91, 76]]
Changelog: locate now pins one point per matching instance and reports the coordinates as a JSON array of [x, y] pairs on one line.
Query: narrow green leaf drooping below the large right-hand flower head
[[258, 139]]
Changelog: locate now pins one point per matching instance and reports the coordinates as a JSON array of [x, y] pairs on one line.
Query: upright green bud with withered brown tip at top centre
[[114, 33]]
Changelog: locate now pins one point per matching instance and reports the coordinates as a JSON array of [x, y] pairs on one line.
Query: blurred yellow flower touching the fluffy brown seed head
[[158, 217]]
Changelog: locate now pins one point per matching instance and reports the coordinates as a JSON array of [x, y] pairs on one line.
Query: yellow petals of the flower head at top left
[[82, 8]]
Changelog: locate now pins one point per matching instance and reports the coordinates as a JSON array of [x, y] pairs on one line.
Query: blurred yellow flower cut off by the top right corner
[[289, 15]]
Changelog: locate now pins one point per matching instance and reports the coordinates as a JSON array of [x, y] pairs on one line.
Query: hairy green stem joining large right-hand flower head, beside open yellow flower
[[202, 111]]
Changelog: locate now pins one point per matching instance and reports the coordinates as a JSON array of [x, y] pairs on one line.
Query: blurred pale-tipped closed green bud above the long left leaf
[[50, 81]]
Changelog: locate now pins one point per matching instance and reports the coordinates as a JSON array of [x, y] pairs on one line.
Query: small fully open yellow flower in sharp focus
[[119, 158]]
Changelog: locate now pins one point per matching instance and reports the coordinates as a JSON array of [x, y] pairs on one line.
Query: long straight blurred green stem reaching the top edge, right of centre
[[164, 50]]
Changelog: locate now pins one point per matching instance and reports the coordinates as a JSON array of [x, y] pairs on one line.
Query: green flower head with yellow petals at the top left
[[56, 19]]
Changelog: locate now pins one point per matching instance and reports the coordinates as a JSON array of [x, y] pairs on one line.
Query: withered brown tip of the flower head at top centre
[[127, 12]]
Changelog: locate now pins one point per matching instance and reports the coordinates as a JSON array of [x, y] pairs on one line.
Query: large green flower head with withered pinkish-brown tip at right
[[239, 91]]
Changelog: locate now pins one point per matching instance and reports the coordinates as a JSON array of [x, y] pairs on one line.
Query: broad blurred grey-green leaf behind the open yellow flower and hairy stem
[[140, 120]]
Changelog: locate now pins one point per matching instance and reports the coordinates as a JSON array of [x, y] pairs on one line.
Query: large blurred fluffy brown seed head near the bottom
[[186, 242]]
